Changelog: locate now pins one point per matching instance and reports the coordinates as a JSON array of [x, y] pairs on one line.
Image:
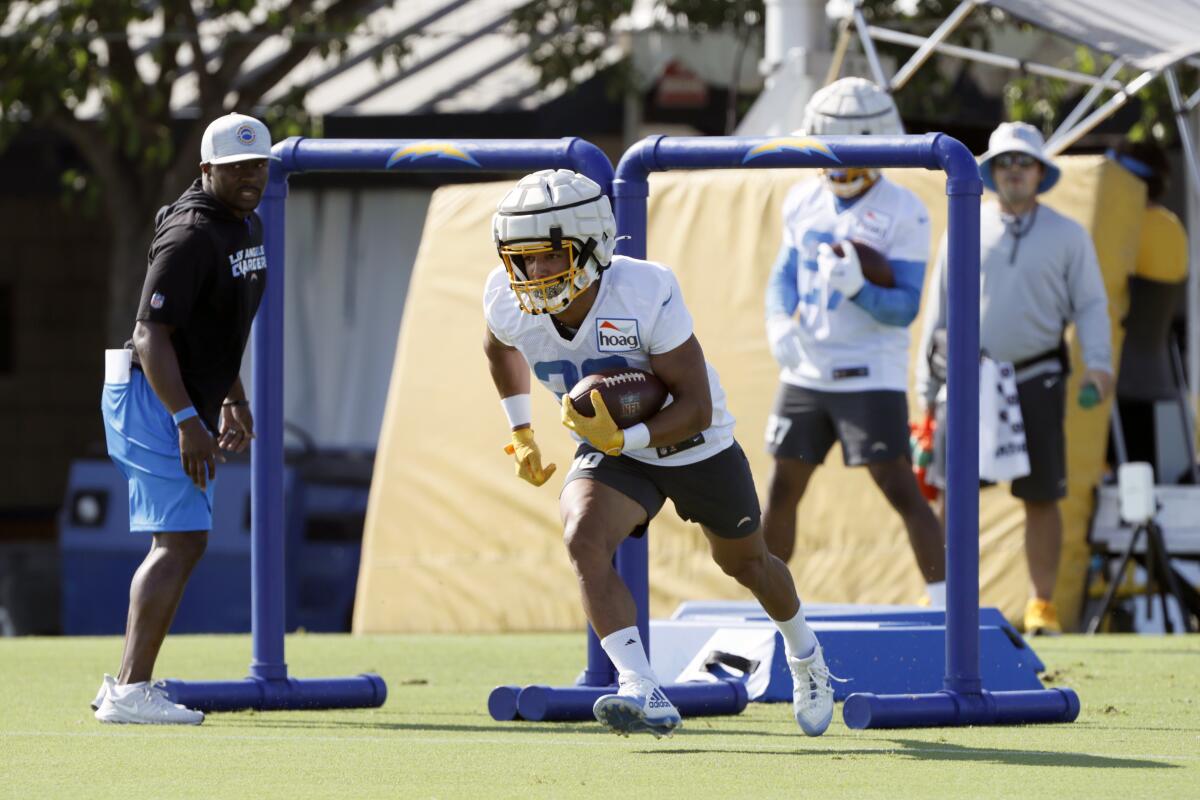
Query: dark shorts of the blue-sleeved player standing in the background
[[872, 426]]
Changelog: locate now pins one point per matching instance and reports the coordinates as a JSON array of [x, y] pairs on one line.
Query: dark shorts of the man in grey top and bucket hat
[[1043, 401]]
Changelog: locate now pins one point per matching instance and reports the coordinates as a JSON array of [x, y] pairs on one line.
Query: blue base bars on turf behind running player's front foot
[[574, 703]]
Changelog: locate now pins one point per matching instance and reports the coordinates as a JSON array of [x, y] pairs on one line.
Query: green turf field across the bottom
[[1138, 735]]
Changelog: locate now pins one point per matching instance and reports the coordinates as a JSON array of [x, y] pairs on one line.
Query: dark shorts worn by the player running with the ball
[[717, 494]]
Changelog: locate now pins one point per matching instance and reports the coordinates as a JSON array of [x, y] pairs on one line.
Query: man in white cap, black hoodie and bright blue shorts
[[173, 399]]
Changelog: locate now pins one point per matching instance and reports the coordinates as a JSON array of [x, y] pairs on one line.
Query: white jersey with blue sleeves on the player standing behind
[[862, 344]]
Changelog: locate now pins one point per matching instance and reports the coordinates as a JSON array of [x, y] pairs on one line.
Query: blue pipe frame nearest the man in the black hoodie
[[268, 687]]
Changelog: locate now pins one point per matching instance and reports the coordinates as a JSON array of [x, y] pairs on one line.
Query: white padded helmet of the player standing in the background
[[851, 107]]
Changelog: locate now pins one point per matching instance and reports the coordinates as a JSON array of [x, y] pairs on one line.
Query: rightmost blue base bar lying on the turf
[[949, 708]]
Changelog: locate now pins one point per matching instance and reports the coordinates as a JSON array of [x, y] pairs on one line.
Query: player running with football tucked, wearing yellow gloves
[[550, 308]]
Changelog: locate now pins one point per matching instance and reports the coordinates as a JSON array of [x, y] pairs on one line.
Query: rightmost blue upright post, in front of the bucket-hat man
[[963, 189]]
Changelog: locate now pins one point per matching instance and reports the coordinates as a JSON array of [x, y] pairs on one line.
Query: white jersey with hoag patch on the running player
[[638, 312]]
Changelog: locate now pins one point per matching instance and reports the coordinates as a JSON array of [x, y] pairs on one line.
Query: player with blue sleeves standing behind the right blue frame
[[843, 342]]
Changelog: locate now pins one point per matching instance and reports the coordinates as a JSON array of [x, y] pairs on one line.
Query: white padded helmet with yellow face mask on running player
[[555, 210]]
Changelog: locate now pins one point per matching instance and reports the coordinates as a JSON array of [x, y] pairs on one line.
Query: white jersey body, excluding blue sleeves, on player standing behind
[[845, 348]]
